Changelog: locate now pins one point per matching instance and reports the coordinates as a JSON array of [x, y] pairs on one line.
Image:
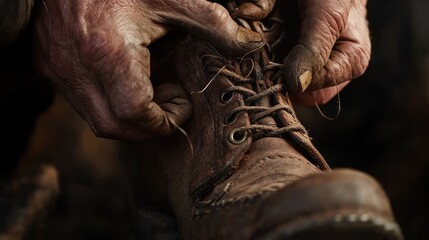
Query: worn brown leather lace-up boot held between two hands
[[243, 167]]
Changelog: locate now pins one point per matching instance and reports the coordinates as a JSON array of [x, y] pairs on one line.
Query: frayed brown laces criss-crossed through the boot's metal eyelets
[[250, 98]]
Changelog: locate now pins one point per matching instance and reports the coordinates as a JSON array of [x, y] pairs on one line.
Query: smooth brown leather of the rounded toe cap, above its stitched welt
[[340, 190]]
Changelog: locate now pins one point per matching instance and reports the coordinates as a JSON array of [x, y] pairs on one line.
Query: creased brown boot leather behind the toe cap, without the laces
[[211, 178]]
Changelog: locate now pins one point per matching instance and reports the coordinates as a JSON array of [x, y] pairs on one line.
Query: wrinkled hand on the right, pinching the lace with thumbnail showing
[[332, 44]]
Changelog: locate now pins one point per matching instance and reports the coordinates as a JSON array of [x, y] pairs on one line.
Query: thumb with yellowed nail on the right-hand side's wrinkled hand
[[322, 23]]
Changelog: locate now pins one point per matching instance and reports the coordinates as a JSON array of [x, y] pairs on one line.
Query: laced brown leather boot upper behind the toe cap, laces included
[[245, 141]]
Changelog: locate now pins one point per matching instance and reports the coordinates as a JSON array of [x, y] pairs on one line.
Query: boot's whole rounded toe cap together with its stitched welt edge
[[343, 202]]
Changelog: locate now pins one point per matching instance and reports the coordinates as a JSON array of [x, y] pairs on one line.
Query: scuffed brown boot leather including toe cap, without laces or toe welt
[[220, 190]]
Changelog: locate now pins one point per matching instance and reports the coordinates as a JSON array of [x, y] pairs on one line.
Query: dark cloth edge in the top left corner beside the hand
[[14, 16]]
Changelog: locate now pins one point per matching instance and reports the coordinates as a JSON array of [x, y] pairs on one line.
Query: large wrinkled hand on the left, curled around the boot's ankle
[[96, 51]]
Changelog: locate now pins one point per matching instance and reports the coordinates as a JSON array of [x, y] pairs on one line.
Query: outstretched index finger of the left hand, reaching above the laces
[[213, 23]]
